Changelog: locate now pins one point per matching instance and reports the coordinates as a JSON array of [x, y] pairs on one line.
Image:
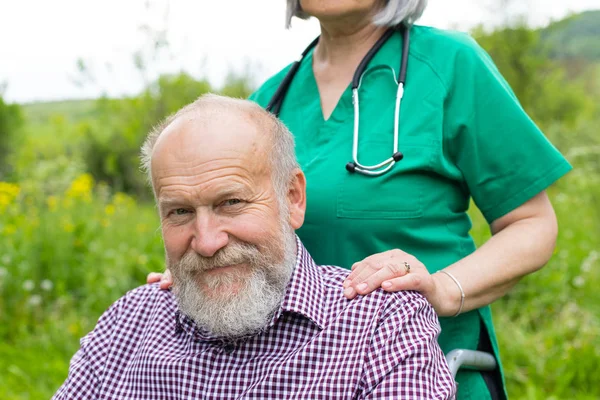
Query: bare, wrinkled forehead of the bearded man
[[195, 149]]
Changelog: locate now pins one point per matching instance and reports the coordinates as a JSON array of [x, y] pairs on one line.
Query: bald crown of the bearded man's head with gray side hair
[[239, 128]]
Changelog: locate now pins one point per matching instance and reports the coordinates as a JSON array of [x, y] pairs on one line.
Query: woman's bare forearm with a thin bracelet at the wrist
[[522, 242]]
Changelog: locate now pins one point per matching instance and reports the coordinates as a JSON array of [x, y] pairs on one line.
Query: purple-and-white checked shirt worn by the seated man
[[319, 345]]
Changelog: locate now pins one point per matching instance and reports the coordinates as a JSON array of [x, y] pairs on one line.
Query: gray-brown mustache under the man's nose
[[232, 254]]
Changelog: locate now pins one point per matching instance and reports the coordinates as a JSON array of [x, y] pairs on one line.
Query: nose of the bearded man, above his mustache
[[209, 236]]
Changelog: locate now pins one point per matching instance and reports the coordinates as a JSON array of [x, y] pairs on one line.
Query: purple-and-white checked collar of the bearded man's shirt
[[304, 295]]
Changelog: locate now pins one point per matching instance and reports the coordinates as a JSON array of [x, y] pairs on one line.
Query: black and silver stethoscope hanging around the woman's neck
[[274, 105]]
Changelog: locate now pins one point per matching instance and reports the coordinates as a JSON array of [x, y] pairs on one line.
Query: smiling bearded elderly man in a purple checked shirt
[[250, 315]]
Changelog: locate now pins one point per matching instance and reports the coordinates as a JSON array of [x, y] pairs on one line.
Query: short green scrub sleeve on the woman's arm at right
[[503, 157]]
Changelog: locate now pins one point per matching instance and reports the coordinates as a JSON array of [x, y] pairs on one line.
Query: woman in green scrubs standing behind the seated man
[[463, 135]]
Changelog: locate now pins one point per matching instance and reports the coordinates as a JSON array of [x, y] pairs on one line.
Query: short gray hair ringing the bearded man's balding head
[[282, 153]]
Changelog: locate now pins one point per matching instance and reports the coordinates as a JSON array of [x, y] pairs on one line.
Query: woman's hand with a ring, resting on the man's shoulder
[[393, 271]]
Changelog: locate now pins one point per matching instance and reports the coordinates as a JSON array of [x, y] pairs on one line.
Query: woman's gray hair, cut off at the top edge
[[393, 13]]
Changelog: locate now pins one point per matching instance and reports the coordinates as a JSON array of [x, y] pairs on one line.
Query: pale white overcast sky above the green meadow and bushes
[[40, 41]]
